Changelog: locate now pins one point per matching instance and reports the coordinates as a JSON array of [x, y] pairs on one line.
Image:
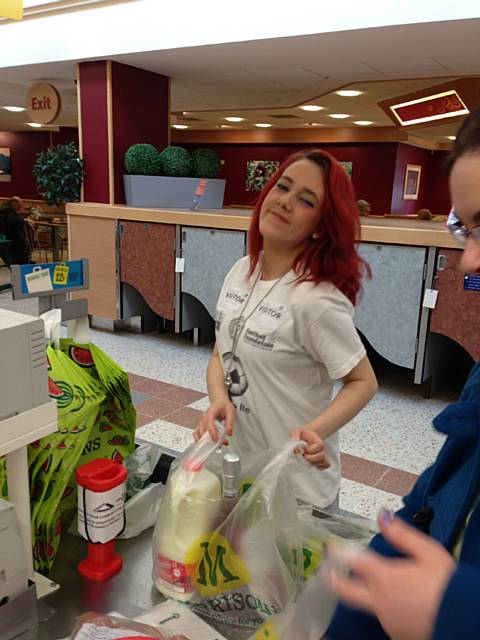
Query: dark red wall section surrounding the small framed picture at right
[[433, 192]]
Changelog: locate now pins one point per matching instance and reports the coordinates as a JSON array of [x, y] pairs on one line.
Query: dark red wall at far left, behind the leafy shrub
[[24, 147]]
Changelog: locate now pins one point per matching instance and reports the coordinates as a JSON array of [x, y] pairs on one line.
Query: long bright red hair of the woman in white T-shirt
[[333, 256]]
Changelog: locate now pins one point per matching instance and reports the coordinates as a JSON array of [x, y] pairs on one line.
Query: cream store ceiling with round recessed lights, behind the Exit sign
[[266, 81]]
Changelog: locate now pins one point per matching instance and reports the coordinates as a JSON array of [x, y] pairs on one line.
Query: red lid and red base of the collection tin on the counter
[[101, 476]]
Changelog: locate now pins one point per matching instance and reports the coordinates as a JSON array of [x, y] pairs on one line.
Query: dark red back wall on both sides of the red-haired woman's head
[[372, 173]]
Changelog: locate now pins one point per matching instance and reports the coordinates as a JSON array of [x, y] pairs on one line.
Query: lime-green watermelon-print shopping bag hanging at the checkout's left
[[96, 419]]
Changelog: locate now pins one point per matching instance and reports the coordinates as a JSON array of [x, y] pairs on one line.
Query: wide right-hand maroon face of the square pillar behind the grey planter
[[140, 109]]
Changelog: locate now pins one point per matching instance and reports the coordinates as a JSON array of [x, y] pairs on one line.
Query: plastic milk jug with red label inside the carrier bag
[[194, 497]]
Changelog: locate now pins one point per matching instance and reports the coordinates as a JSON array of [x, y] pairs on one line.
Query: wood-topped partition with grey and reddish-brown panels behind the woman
[[172, 262]]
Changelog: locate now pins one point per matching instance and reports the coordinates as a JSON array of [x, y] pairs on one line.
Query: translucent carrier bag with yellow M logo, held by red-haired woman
[[245, 565]]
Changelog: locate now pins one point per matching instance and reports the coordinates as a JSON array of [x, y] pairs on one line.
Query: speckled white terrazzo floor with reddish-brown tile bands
[[383, 449]]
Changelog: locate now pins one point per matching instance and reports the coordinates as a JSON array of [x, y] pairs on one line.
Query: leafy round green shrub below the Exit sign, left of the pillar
[[59, 174]]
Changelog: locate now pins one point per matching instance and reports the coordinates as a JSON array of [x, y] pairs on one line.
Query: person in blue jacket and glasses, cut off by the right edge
[[421, 578]]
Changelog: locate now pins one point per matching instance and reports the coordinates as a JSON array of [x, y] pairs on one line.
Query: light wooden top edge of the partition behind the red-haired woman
[[225, 219]]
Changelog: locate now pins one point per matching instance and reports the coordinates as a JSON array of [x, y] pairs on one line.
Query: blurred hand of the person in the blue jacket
[[403, 593]]
